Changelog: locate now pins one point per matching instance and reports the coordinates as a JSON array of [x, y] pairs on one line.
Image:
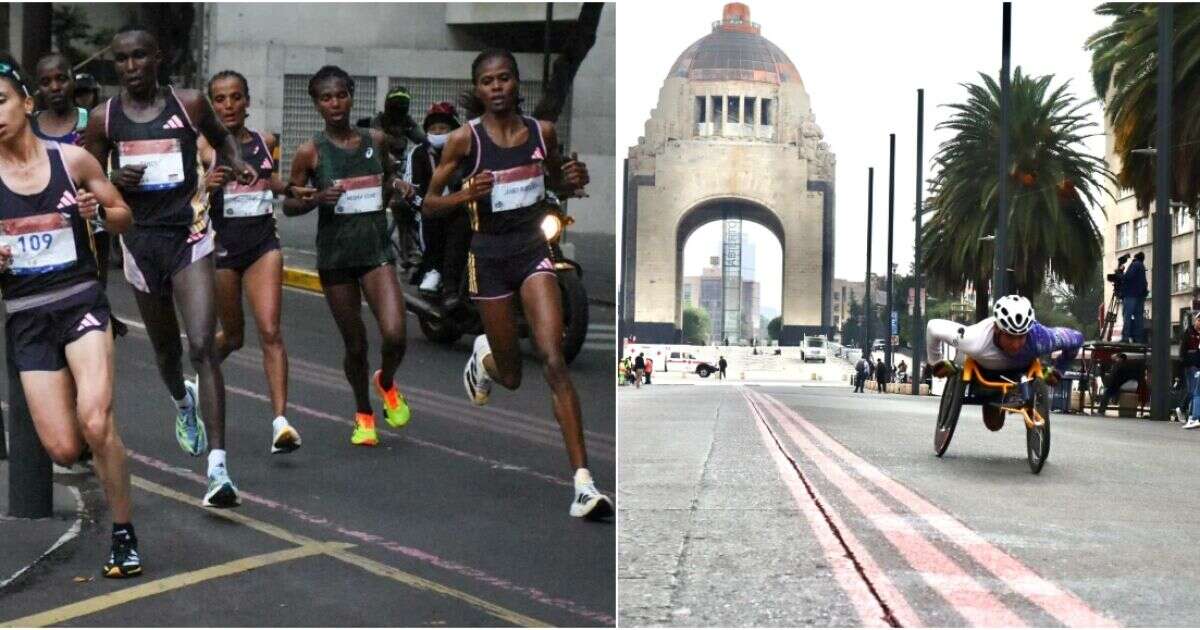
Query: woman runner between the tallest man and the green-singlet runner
[[249, 247]]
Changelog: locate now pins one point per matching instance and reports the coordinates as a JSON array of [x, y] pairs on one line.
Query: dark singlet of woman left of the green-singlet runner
[[243, 215]]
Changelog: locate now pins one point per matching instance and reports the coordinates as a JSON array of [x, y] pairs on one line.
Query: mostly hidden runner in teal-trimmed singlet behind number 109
[[64, 122]]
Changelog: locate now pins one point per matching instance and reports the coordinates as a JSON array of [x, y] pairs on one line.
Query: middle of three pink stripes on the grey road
[[965, 595]]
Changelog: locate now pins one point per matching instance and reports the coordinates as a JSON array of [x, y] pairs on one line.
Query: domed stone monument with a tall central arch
[[734, 136]]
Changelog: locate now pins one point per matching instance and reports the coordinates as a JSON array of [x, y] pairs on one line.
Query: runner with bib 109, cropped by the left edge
[[58, 329]]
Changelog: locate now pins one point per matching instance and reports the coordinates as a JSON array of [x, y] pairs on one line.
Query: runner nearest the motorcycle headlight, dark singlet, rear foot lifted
[[509, 158]]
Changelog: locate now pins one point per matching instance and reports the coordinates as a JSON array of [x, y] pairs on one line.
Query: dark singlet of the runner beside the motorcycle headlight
[[511, 217]]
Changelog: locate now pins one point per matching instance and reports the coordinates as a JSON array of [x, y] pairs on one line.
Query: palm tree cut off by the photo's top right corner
[[1125, 70]]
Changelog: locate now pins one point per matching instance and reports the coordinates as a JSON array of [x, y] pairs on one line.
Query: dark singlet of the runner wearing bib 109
[[51, 243]]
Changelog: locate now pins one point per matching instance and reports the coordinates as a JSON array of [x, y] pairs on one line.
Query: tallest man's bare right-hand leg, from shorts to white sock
[[195, 287]]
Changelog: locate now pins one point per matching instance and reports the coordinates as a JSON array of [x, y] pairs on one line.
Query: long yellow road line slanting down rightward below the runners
[[340, 553]]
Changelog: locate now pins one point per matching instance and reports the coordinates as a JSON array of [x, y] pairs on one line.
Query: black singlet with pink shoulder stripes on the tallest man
[[167, 148]]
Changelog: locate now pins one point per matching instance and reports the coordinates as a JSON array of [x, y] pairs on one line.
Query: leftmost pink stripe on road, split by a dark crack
[[871, 613]]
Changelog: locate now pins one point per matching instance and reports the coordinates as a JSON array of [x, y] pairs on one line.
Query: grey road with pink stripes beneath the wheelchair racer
[[777, 506]]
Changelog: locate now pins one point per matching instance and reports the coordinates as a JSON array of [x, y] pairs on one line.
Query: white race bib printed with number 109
[[40, 244]]
